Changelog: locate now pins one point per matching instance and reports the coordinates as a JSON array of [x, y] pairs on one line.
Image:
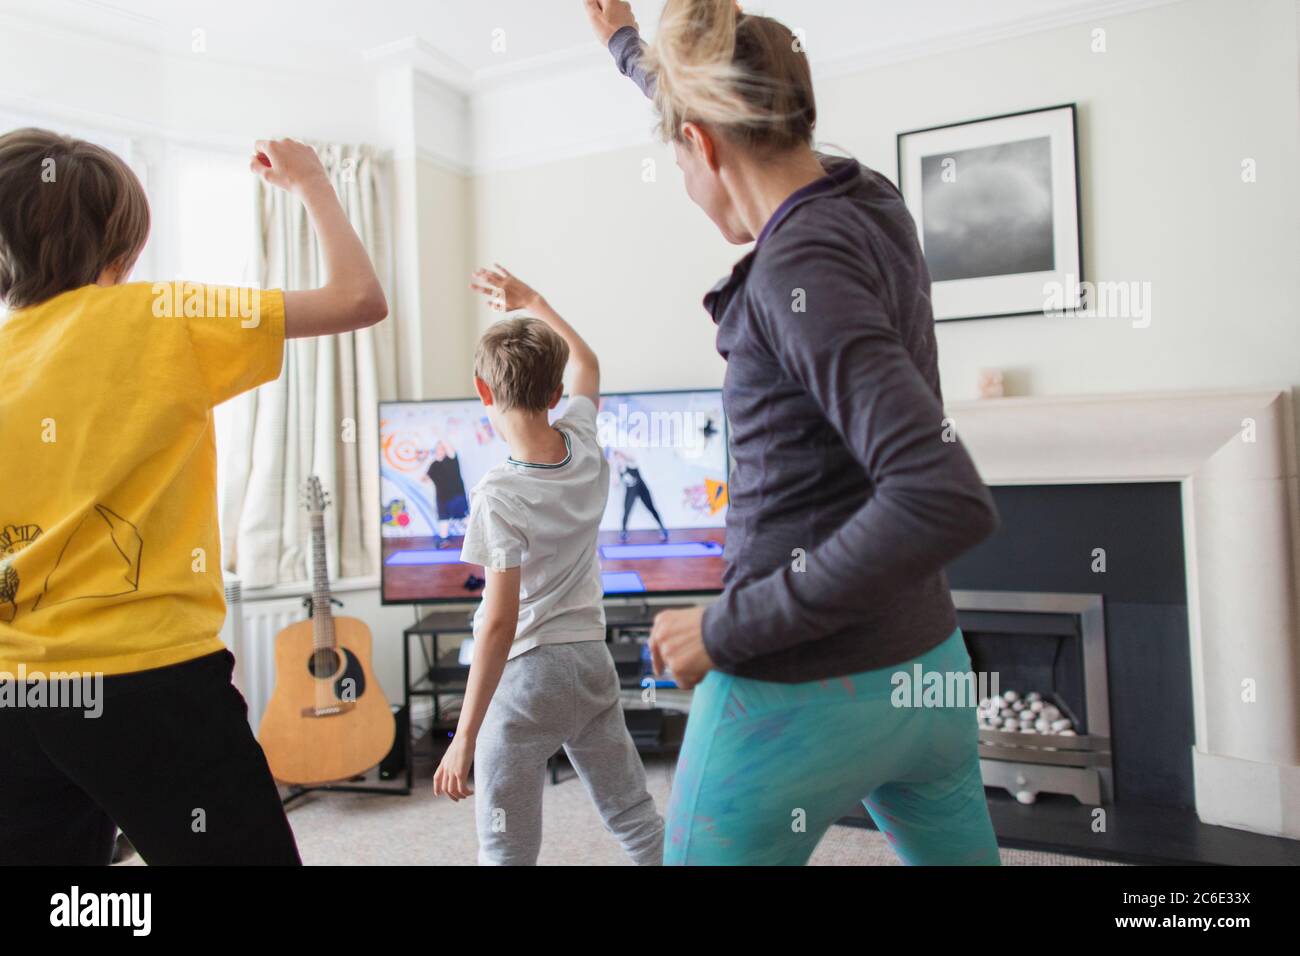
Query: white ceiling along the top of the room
[[339, 34]]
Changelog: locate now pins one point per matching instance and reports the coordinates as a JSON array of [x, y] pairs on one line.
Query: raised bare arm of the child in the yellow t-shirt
[[353, 297]]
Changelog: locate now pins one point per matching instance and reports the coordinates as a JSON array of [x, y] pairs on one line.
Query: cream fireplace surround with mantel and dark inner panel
[[1227, 654]]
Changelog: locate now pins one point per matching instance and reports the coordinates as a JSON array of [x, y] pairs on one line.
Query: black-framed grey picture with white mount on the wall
[[996, 205]]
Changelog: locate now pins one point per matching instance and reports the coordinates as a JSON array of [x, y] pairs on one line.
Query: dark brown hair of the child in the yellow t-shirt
[[70, 210]]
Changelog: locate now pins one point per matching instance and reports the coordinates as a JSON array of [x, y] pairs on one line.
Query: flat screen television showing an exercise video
[[664, 526]]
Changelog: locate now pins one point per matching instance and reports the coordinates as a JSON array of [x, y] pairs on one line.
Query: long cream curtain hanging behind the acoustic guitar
[[320, 417]]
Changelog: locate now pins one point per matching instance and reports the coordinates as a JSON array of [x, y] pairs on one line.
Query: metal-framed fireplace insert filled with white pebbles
[[1046, 655]]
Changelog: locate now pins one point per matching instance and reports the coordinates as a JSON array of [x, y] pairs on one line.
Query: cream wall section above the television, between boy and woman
[[626, 259]]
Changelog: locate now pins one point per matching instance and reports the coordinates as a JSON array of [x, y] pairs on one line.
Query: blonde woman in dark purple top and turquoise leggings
[[848, 498]]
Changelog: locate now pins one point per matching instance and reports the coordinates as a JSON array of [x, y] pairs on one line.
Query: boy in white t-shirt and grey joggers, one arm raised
[[541, 677]]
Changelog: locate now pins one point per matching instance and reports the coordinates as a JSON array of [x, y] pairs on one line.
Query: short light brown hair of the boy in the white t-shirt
[[523, 362]]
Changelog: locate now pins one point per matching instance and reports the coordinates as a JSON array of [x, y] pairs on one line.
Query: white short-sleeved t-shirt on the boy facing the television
[[544, 520]]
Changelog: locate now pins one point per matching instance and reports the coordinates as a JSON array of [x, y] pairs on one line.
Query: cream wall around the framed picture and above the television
[[1184, 94]]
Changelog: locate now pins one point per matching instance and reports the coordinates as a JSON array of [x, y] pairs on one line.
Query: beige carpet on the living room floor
[[345, 829]]
